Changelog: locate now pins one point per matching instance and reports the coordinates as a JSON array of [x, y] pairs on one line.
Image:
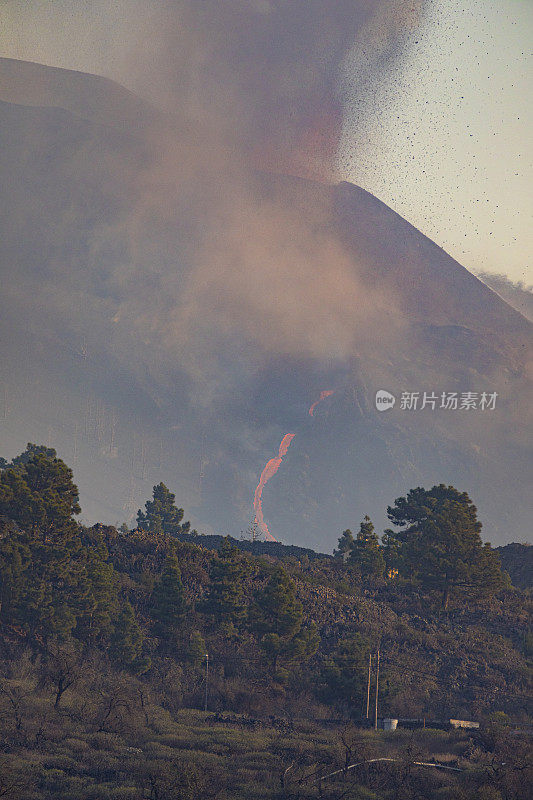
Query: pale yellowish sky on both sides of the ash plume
[[446, 137]]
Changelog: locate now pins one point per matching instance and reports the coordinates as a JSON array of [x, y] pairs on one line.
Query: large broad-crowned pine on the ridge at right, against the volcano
[[440, 542]]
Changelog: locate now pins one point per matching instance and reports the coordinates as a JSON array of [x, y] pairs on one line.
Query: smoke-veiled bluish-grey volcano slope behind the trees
[[170, 318]]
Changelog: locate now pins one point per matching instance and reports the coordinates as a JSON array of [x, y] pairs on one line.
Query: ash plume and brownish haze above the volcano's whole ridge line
[[260, 76]]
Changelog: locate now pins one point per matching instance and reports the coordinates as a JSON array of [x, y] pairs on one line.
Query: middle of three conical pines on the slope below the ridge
[[225, 598]]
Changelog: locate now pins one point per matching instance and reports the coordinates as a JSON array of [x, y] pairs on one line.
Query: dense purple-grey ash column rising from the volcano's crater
[[264, 76]]
